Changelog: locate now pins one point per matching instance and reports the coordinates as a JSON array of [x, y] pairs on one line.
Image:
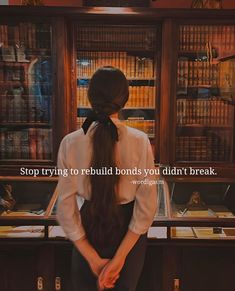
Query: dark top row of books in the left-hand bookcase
[[26, 34]]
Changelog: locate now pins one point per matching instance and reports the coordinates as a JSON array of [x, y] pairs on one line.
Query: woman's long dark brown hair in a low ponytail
[[108, 93]]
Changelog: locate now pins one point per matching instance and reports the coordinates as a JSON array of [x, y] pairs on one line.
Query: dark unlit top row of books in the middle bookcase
[[116, 37]]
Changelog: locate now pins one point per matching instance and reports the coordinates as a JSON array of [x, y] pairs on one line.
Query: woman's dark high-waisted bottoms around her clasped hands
[[82, 278]]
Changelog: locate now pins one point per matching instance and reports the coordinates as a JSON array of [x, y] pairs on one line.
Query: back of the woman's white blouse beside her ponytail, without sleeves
[[130, 150]]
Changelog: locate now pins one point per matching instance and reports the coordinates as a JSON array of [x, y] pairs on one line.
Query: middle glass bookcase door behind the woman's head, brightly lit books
[[132, 49]]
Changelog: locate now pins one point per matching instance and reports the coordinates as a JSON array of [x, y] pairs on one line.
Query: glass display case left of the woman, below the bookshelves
[[27, 201]]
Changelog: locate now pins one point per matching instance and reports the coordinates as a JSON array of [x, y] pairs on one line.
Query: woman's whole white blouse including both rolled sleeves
[[133, 154]]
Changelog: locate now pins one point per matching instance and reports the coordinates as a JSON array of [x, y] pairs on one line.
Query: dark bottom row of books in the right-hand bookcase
[[212, 147]]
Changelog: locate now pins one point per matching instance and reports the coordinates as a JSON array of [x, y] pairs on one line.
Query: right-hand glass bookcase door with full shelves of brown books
[[205, 93]]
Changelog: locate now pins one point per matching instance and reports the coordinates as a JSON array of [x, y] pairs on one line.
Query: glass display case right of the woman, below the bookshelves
[[204, 202]]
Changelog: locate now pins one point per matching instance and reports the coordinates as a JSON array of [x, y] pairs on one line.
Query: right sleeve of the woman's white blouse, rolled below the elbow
[[146, 195]]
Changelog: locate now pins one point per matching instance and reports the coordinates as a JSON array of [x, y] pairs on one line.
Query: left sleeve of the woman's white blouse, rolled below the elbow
[[68, 214]]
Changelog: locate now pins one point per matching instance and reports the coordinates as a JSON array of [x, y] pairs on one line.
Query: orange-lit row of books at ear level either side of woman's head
[[139, 96]]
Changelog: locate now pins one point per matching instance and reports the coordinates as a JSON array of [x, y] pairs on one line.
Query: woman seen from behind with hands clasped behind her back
[[109, 231]]
